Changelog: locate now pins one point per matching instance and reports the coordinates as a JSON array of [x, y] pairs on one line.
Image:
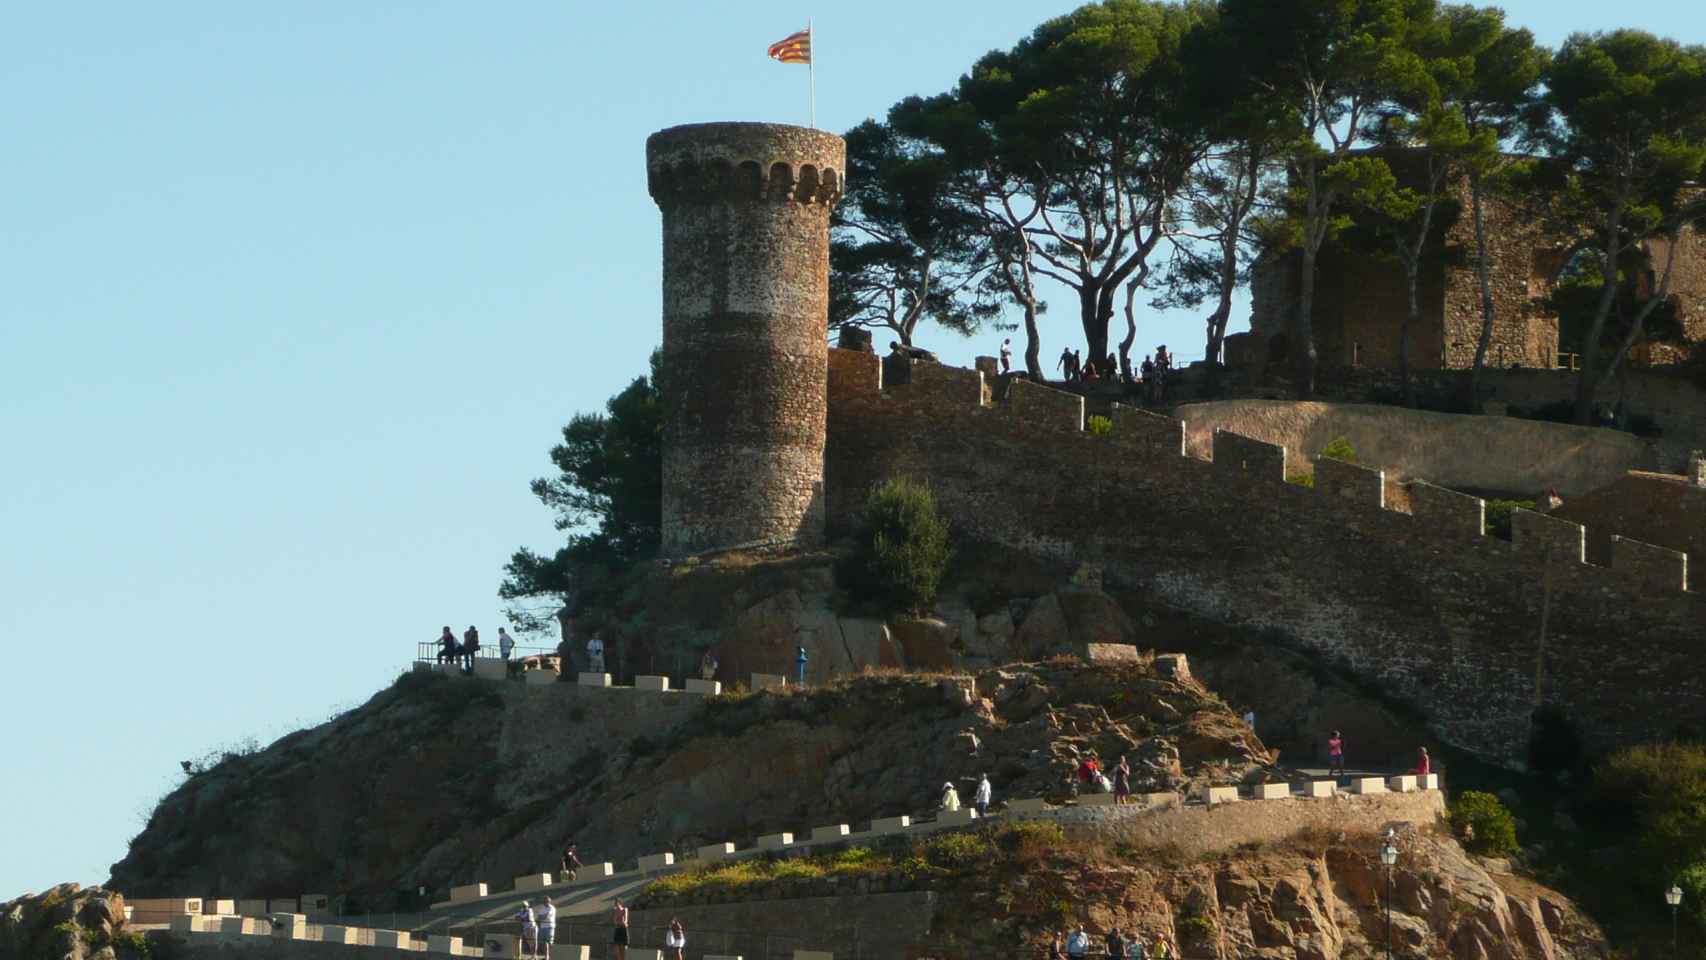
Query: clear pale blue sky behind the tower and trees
[[293, 303]]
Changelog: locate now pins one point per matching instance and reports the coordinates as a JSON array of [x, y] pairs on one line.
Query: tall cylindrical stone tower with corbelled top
[[746, 311]]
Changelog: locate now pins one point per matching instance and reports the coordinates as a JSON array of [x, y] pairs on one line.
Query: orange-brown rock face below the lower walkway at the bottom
[[1314, 896]]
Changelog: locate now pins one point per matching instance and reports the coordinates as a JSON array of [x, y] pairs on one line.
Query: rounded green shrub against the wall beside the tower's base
[[902, 548]]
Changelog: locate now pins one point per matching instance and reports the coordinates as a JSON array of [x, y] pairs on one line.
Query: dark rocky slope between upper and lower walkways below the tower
[[441, 780]]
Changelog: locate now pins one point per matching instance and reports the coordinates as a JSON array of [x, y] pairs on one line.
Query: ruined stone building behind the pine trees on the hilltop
[[1361, 299]]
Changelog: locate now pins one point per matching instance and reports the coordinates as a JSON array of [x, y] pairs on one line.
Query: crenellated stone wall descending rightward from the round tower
[[1427, 604]]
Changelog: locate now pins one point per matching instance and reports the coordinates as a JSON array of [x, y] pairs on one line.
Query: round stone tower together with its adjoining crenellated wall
[[774, 439]]
